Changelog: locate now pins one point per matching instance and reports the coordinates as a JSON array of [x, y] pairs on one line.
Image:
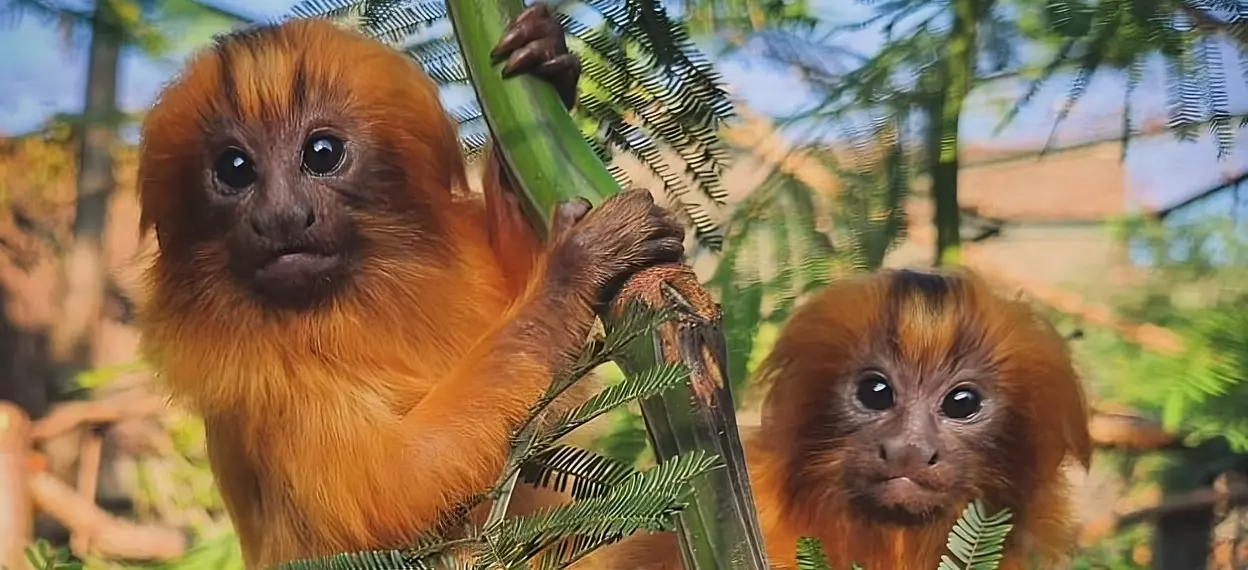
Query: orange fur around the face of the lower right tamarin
[[934, 321]]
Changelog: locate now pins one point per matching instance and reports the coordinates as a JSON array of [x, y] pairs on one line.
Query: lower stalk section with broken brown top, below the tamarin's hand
[[719, 529]]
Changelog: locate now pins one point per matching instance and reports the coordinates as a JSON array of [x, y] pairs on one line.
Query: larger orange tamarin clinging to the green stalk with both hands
[[334, 302]]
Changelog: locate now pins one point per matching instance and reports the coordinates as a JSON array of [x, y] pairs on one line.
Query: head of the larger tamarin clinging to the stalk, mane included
[[296, 162]]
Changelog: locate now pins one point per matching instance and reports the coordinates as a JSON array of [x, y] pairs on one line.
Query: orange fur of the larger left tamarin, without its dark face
[[358, 423]]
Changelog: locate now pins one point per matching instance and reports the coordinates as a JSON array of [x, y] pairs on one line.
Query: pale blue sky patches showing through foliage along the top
[[49, 74]]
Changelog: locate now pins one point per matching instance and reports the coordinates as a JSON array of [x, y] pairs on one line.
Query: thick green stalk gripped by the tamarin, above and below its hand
[[551, 163]]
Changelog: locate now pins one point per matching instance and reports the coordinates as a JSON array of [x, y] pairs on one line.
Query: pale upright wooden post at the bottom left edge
[[16, 521]]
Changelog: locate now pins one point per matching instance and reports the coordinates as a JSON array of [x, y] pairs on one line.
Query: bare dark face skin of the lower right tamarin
[[912, 438]]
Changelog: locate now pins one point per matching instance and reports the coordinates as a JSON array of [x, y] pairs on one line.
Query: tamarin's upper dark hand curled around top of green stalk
[[535, 44]]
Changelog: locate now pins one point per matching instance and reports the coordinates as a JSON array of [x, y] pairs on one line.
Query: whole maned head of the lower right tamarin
[[905, 395]]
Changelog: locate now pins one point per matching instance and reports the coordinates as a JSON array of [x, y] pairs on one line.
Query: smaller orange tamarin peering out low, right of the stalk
[[895, 400]]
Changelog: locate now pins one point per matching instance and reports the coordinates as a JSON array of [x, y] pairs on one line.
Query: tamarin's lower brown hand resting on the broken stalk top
[[602, 249]]
